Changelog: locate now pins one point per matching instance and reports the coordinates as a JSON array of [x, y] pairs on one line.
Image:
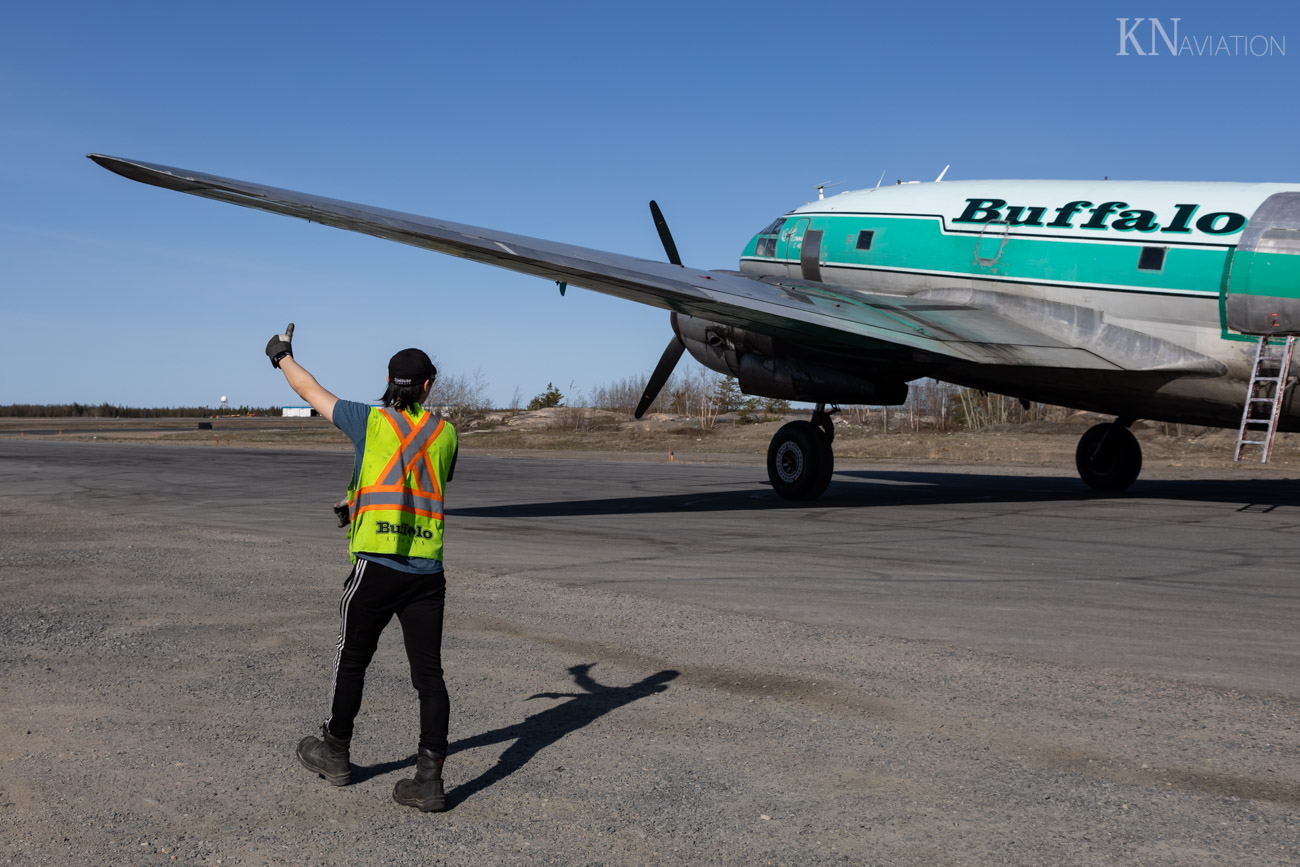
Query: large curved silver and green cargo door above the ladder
[[1264, 280]]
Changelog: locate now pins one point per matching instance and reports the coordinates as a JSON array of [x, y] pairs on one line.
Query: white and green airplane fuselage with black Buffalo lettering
[[1151, 257]]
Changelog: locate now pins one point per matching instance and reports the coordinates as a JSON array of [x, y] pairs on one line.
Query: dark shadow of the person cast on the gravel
[[540, 731]]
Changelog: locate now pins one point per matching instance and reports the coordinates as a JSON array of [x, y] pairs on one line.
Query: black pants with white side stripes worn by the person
[[375, 593]]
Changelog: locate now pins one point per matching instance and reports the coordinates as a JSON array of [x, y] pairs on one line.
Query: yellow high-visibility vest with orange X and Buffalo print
[[396, 498]]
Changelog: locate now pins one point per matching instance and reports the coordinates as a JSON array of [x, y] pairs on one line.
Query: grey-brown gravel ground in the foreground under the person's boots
[[155, 678]]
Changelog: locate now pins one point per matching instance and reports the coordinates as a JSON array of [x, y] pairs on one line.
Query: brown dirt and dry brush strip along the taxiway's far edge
[[666, 437]]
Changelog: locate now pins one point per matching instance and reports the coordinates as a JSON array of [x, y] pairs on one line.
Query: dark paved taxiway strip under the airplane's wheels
[[1193, 580]]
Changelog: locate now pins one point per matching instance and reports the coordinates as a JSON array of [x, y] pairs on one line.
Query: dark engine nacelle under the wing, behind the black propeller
[[766, 367]]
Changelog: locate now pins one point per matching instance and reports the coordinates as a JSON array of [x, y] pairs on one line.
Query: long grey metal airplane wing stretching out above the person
[[957, 326]]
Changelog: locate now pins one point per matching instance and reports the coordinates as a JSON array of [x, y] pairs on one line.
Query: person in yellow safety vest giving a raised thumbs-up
[[405, 459]]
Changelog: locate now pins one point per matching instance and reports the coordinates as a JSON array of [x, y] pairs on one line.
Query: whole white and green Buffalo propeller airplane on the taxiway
[[1136, 300]]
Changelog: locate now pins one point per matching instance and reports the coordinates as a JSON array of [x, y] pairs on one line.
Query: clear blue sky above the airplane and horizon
[[556, 120]]
